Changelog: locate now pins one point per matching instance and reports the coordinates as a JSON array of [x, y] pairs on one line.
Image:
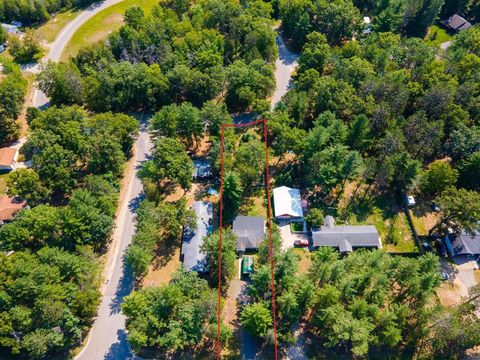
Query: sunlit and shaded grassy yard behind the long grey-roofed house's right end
[[390, 221]]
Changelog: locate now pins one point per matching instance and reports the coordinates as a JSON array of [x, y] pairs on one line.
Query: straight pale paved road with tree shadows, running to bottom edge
[[107, 339]]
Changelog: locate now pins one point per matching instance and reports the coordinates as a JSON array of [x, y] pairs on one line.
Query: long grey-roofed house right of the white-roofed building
[[346, 238]]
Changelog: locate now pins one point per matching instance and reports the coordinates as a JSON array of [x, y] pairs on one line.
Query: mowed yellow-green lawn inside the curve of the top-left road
[[101, 25]]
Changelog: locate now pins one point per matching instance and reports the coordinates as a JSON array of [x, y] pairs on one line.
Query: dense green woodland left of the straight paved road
[[49, 287]]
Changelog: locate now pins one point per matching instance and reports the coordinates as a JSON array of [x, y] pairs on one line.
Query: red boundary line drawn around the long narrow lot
[[269, 211]]
